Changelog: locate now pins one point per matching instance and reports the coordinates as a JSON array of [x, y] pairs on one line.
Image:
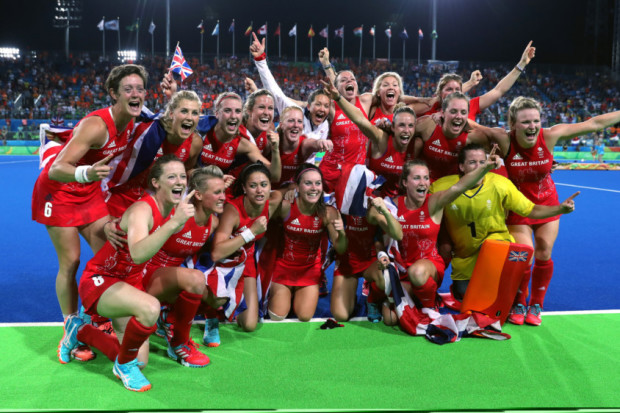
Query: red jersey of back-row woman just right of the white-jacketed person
[[349, 145]]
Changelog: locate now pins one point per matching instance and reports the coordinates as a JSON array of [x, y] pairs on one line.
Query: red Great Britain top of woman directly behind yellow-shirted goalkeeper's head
[[441, 154]]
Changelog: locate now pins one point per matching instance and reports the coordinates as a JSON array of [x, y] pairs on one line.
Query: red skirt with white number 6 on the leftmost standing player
[[66, 204]]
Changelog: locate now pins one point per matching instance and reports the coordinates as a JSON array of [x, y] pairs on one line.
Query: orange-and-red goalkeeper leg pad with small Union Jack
[[496, 278]]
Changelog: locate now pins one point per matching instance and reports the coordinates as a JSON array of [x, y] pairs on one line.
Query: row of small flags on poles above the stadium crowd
[[262, 30]]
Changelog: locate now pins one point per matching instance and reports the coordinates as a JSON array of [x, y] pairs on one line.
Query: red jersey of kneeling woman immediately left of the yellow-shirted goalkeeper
[[419, 237]]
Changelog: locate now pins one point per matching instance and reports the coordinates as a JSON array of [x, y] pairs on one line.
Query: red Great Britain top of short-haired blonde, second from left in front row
[[184, 243]]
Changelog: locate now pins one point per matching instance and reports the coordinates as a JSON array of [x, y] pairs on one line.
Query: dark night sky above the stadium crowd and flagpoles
[[484, 30]]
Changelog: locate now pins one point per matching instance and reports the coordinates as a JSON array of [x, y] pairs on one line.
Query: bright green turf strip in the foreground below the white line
[[569, 362]]
